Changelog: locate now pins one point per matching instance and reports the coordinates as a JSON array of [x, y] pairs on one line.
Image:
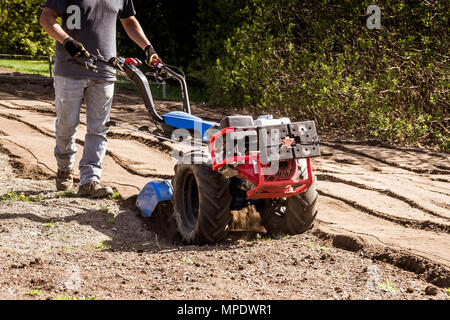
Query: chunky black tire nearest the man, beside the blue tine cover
[[211, 224]]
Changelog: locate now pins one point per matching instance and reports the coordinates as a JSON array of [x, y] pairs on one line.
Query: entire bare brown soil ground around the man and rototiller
[[382, 231]]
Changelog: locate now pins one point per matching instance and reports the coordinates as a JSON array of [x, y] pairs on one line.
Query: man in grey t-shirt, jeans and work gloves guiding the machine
[[87, 27]]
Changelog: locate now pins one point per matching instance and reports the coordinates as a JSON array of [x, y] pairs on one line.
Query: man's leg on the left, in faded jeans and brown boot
[[68, 98]]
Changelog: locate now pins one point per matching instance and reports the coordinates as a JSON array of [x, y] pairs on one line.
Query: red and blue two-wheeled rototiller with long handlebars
[[240, 162]]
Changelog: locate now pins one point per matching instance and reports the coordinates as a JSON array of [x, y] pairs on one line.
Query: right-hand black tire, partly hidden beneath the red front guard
[[300, 213]]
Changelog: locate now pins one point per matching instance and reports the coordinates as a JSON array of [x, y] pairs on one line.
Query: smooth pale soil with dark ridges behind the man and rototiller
[[390, 203]]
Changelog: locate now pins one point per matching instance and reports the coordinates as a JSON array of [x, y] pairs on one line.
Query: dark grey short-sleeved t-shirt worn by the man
[[93, 23]]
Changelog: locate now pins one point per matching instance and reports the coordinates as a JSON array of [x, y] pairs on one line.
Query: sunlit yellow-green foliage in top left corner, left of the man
[[20, 31]]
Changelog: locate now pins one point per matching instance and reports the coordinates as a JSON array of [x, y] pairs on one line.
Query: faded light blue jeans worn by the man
[[98, 96]]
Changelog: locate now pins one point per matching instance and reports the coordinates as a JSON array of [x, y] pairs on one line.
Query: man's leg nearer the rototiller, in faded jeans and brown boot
[[98, 97]]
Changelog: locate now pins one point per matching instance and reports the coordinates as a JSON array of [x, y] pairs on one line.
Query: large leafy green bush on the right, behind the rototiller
[[317, 60]]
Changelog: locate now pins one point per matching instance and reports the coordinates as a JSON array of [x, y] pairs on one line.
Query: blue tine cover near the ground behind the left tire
[[153, 193]]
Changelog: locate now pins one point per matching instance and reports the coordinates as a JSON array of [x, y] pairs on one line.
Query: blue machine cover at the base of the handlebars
[[183, 120]]
